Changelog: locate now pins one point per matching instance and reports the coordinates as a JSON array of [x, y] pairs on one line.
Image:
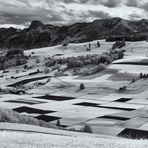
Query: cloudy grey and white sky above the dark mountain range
[[19, 13]]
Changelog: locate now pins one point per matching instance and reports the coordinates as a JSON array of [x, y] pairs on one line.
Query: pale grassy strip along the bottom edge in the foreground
[[33, 140]]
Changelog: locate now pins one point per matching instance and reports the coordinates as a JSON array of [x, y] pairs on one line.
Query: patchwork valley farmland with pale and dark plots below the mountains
[[100, 104]]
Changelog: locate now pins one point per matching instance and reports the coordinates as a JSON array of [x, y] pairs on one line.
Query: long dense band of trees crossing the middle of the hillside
[[81, 61]]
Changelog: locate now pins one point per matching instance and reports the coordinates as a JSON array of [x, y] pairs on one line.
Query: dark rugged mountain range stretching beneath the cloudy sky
[[40, 35]]
